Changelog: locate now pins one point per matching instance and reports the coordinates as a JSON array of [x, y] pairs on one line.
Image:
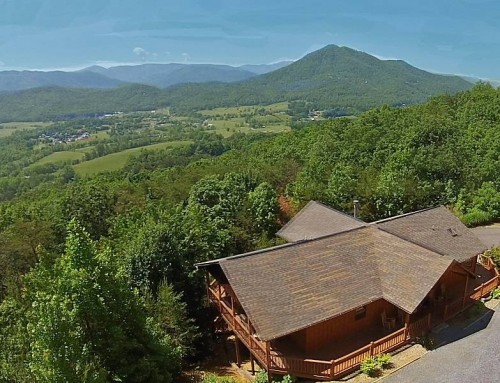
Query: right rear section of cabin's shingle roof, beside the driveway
[[435, 229]]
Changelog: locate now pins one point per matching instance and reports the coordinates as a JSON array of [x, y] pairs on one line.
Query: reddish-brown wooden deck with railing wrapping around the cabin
[[347, 354]]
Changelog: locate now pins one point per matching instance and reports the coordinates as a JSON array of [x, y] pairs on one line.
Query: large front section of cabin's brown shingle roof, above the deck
[[286, 289]]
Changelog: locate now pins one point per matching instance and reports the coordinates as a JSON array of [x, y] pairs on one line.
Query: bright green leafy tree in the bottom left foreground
[[86, 325]]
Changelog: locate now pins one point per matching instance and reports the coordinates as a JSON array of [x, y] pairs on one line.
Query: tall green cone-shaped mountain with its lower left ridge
[[333, 77]]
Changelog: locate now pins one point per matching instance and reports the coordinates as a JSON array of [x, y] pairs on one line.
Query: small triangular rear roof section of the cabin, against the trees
[[317, 220]]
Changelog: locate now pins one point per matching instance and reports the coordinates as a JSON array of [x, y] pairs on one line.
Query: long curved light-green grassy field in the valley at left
[[118, 160]]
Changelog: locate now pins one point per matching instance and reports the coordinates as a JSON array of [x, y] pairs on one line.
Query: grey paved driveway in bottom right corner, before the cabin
[[473, 359]]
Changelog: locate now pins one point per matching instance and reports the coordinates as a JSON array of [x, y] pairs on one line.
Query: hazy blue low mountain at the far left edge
[[18, 80]]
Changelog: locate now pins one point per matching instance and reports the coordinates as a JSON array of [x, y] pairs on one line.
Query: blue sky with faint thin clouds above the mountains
[[459, 37]]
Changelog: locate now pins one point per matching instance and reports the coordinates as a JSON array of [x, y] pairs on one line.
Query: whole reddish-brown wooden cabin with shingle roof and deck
[[342, 290]]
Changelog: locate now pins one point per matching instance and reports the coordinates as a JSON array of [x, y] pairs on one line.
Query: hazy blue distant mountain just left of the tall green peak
[[165, 75]]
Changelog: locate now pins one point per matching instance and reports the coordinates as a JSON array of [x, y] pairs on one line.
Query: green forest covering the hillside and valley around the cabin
[[97, 276]]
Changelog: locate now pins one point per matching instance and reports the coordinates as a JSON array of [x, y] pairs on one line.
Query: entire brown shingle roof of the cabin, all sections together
[[290, 287]]
